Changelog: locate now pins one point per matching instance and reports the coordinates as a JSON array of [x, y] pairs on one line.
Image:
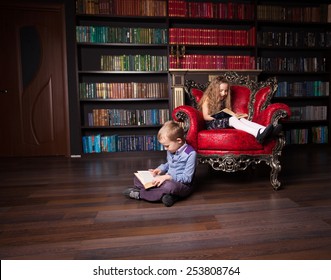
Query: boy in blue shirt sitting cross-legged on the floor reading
[[176, 175]]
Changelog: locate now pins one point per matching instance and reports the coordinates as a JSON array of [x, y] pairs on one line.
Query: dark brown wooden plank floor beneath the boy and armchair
[[60, 208]]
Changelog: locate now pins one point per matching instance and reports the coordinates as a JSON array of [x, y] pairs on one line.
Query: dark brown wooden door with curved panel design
[[33, 81]]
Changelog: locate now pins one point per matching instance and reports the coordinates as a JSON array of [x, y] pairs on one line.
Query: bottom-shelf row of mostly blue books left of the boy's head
[[120, 143]]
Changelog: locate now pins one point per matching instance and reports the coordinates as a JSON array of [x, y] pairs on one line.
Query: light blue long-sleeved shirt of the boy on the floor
[[181, 165]]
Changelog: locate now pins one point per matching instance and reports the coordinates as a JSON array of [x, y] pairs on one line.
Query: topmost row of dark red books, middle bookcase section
[[211, 9]]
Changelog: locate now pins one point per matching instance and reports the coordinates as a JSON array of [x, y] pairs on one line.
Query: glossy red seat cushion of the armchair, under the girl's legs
[[227, 139]]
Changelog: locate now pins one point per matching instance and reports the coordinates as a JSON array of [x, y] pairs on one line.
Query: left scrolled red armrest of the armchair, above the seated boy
[[192, 120]]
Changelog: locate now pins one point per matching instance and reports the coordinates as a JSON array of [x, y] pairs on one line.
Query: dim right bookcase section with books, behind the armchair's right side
[[293, 44]]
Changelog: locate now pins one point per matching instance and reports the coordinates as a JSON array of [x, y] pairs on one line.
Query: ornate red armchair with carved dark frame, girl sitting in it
[[229, 149]]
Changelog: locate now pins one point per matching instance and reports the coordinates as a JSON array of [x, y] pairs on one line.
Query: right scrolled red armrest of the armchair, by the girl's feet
[[272, 114]]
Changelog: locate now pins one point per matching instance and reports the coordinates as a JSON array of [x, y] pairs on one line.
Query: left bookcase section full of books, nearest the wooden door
[[122, 74]]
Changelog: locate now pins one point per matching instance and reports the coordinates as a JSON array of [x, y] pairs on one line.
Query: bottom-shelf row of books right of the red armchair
[[316, 135]]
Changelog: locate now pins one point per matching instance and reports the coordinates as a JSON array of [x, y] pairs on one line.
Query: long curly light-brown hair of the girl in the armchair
[[211, 95]]
